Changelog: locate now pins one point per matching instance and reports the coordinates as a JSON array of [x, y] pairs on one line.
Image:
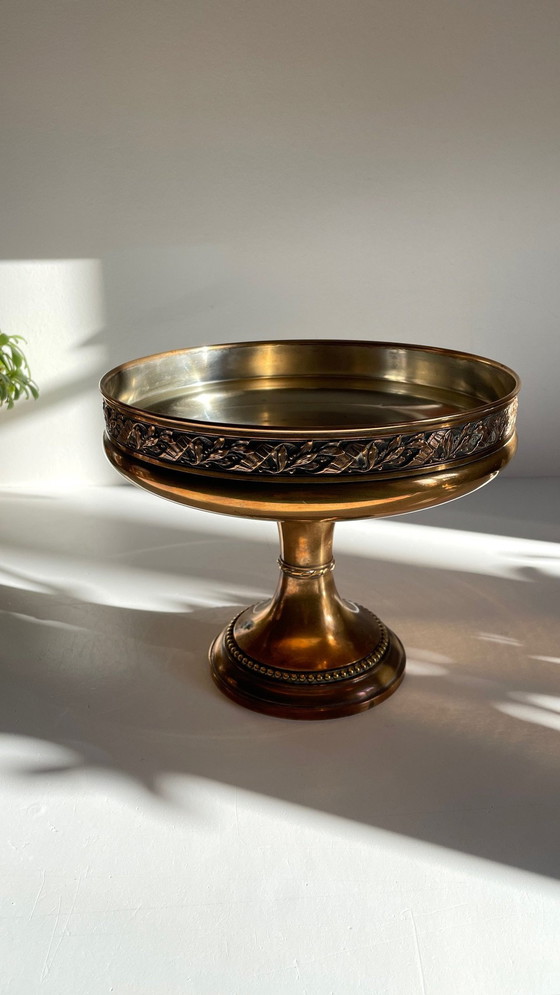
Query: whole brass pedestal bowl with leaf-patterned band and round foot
[[308, 433]]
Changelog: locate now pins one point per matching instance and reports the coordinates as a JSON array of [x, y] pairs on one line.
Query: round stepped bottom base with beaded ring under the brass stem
[[310, 694]]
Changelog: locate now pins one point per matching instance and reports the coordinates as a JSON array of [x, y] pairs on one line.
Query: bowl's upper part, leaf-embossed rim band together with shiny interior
[[309, 409]]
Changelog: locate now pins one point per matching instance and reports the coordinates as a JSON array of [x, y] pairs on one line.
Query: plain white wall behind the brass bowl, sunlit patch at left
[[185, 171]]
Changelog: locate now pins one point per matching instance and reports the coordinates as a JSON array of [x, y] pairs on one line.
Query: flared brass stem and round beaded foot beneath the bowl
[[307, 653]]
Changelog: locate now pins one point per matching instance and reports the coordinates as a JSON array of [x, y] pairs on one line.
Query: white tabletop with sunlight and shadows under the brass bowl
[[158, 840]]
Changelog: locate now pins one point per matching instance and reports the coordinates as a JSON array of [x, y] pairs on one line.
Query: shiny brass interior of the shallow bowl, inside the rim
[[322, 385]]
